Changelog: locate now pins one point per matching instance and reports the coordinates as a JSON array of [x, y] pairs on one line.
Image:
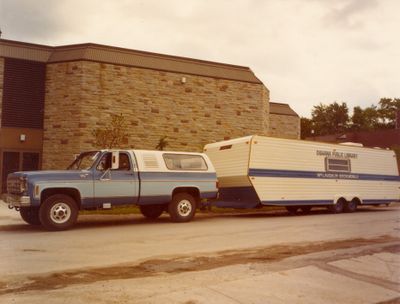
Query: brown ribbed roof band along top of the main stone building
[[125, 57]]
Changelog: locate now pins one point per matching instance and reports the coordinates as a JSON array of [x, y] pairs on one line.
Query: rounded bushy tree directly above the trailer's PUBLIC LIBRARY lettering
[[330, 119]]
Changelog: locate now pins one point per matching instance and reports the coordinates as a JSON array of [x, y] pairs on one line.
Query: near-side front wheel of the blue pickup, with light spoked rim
[[58, 212]]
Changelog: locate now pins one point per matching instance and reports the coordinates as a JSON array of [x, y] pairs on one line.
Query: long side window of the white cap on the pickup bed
[[185, 162]]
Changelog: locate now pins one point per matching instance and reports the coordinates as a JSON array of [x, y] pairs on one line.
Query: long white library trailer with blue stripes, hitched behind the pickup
[[254, 171]]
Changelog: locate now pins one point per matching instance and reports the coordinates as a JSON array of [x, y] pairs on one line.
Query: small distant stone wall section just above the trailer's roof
[[284, 126]]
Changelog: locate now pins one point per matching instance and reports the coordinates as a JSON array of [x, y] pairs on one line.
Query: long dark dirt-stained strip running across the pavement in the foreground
[[181, 264]]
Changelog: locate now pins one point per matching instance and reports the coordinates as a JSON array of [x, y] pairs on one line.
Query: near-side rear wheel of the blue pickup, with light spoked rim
[[182, 207]]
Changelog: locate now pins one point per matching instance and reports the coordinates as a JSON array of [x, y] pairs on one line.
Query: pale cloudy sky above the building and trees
[[306, 52]]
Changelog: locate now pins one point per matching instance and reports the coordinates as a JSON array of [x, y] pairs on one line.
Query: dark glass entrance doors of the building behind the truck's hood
[[18, 161]]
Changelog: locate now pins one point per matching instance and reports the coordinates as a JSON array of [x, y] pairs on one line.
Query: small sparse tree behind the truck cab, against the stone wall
[[113, 135]]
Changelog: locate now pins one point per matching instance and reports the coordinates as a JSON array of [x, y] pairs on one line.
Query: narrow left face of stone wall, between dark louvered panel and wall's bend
[[62, 114]]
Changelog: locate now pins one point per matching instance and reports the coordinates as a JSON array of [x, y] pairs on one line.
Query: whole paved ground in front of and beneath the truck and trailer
[[256, 257]]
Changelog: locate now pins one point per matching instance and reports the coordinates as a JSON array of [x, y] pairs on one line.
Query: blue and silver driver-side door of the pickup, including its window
[[116, 186]]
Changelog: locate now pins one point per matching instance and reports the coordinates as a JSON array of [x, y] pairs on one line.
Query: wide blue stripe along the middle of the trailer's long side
[[320, 174]]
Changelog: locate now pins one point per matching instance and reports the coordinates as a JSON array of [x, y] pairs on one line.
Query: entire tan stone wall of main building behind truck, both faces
[[82, 96]]
